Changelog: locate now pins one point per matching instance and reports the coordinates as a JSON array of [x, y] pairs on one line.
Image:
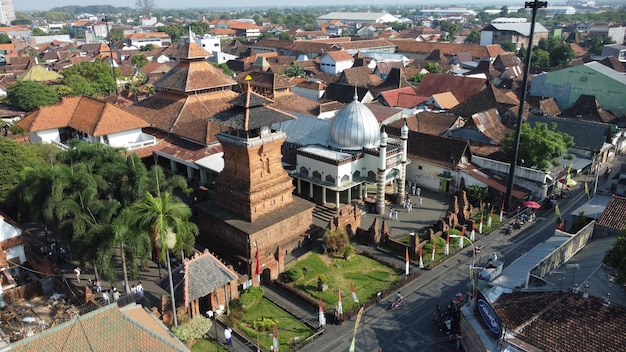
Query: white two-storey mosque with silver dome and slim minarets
[[335, 162]]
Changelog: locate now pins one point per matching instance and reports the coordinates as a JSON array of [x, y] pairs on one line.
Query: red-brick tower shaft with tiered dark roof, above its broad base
[[253, 182]]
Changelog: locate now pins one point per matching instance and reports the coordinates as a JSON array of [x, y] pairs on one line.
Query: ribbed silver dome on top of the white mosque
[[354, 127]]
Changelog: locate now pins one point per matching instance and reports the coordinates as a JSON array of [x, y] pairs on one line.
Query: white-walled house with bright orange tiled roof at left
[[88, 119]]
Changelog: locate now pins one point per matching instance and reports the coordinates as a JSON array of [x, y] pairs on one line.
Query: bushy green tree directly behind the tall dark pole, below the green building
[[539, 145]]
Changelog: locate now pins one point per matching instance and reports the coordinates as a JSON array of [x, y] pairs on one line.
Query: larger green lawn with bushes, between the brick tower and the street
[[368, 277]]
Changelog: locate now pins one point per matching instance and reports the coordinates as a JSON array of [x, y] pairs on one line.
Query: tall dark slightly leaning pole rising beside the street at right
[[534, 5]]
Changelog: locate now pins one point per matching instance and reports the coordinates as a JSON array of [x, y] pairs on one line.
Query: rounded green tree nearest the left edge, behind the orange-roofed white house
[[30, 95]]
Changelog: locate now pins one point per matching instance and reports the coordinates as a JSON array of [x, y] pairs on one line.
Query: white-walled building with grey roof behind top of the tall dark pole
[[517, 33]]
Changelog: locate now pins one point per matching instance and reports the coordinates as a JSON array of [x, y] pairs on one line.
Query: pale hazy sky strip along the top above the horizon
[[42, 5]]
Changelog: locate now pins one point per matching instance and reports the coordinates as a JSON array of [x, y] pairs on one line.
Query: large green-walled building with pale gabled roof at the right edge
[[593, 78]]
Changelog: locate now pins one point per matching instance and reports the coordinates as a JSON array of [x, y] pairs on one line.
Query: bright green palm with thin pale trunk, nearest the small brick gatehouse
[[167, 219]]
